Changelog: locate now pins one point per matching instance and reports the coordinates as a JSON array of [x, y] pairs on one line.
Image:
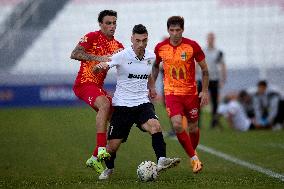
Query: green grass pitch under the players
[[48, 147]]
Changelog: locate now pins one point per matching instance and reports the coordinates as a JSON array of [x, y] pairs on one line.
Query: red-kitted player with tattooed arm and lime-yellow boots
[[93, 48]]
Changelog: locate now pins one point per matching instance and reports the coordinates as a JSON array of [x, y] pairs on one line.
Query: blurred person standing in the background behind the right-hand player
[[217, 74]]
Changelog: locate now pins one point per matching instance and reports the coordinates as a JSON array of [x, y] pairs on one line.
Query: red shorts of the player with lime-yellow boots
[[89, 94]]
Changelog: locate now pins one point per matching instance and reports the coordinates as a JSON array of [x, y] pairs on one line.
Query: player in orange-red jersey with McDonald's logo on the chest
[[179, 56]]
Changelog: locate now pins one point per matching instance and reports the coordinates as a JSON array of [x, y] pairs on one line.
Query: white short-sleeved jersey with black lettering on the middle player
[[132, 77]]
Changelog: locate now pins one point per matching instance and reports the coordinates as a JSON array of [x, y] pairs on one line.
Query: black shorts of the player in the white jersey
[[124, 117]]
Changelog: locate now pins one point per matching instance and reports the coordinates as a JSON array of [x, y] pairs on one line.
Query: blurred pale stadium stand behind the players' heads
[[250, 34]]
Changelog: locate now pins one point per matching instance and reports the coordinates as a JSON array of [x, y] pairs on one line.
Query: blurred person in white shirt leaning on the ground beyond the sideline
[[235, 114]]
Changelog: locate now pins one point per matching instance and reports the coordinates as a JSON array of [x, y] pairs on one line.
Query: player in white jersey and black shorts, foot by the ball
[[131, 101]]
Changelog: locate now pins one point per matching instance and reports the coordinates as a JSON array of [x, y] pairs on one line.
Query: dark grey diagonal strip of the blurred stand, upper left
[[23, 25]]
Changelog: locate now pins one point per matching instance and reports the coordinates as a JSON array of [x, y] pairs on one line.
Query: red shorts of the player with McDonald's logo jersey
[[185, 105]]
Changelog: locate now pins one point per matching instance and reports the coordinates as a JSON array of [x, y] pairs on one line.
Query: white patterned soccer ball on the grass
[[147, 171]]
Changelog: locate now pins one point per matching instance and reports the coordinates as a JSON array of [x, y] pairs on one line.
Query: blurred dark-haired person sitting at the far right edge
[[266, 106]]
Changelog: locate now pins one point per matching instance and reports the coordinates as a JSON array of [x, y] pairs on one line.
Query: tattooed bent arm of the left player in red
[[80, 54]]
